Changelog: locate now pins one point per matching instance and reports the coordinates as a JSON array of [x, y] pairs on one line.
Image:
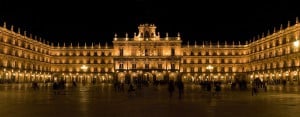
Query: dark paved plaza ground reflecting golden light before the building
[[101, 100]]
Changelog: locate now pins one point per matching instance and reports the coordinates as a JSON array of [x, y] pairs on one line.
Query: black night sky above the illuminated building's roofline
[[97, 21]]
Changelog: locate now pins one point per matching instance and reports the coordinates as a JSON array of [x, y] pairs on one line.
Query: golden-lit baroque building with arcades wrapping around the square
[[147, 56]]
